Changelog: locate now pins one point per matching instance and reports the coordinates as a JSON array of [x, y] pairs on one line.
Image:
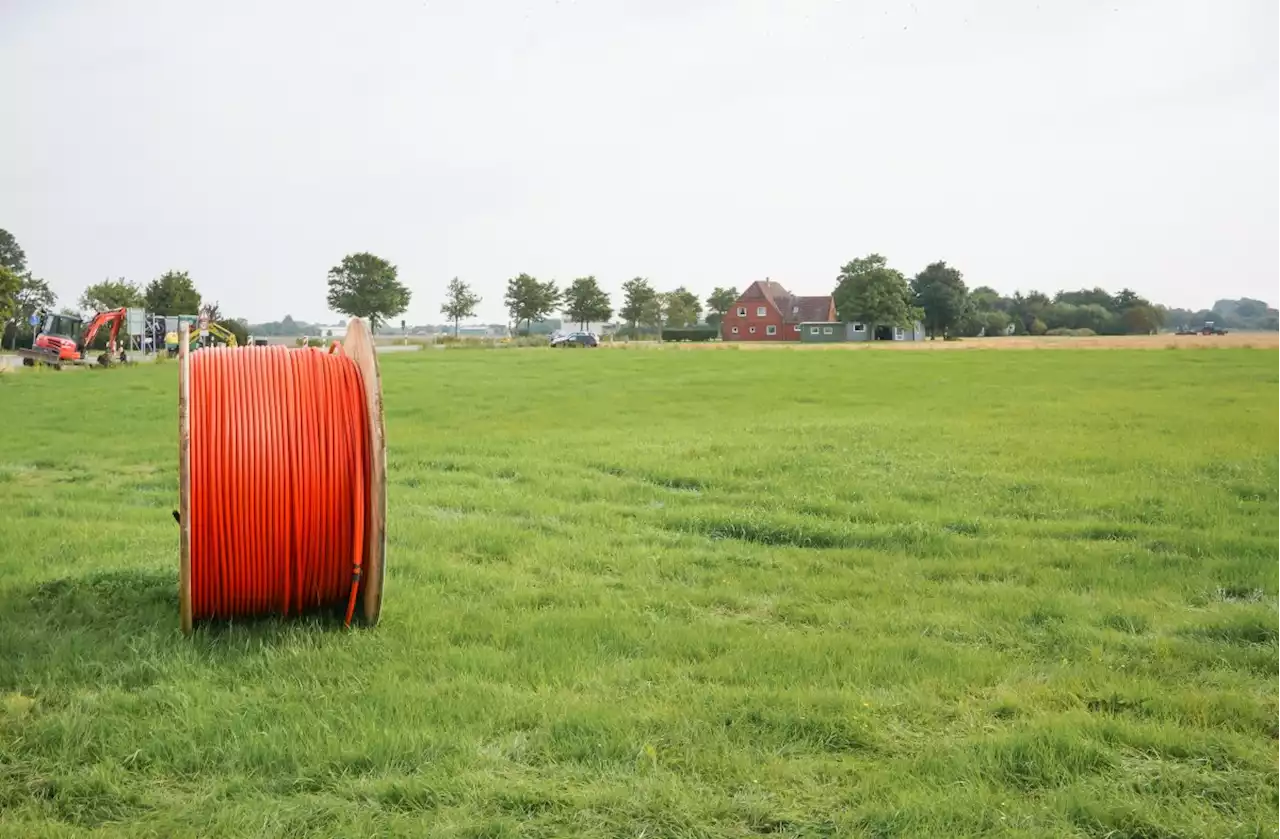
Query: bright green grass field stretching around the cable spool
[[662, 594]]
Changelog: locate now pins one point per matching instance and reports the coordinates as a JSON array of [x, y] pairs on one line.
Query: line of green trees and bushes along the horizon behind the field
[[867, 291]]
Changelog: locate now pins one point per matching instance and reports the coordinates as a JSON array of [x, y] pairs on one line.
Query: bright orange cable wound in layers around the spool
[[280, 481]]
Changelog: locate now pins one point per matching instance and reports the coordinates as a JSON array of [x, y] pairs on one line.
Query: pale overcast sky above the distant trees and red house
[[700, 143]]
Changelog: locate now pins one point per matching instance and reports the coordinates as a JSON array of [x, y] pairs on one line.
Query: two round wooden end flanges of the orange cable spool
[[359, 345]]
